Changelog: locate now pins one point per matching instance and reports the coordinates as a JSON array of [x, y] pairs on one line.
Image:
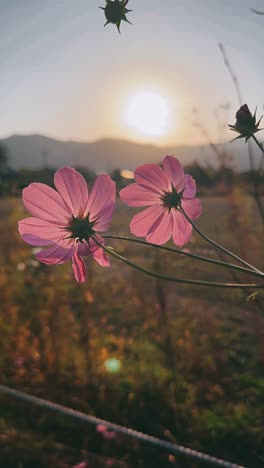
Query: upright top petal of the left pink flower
[[73, 189]]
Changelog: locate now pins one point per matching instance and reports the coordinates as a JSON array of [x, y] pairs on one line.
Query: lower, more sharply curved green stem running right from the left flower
[[172, 278]]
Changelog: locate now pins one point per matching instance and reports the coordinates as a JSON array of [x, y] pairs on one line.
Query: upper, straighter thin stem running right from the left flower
[[187, 254]]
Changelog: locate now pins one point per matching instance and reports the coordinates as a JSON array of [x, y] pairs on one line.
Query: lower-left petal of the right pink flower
[[142, 222]]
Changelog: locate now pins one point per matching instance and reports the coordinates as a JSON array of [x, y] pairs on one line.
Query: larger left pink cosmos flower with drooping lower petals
[[66, 219]]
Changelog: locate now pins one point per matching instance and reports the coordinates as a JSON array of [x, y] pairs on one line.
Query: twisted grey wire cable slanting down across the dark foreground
[[86, 418]]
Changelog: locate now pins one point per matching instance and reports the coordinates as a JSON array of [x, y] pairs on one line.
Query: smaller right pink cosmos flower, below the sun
[[164, 191]]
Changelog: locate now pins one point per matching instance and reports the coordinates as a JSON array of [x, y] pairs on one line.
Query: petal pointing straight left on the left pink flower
[[38, 232]]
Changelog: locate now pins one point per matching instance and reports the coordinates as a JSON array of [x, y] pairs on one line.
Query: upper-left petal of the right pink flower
[[152, 177]]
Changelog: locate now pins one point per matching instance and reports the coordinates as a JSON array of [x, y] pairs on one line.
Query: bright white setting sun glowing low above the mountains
[[148, 112]]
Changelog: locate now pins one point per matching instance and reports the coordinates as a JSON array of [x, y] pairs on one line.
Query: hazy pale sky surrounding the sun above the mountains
[[64, 75]]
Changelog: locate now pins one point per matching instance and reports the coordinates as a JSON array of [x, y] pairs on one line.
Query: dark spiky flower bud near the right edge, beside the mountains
[[246, 124]]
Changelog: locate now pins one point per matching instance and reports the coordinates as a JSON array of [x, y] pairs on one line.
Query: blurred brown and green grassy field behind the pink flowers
[[189, 361]]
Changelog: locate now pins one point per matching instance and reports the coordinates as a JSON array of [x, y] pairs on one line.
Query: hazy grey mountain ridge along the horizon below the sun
[[34, 151]]
